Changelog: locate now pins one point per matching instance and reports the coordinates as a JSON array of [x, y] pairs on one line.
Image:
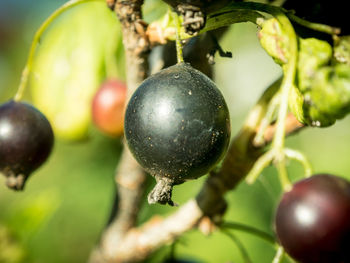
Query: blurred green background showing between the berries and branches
[[66, 203]]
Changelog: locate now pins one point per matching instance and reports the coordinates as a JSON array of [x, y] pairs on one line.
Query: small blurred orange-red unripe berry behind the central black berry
[[108, 107]]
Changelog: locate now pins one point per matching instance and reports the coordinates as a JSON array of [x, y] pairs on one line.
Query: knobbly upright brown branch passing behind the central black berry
[[130, 177]]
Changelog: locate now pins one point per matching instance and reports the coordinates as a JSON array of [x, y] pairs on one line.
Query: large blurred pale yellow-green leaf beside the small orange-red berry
[[70, 64]]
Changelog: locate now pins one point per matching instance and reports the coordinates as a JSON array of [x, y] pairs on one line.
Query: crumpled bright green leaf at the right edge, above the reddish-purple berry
[[324, 88]]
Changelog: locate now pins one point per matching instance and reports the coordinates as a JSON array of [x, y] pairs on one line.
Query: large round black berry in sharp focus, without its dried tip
[[177, 124]]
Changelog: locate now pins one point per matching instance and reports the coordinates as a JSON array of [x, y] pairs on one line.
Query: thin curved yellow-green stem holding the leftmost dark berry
[[28, 67]]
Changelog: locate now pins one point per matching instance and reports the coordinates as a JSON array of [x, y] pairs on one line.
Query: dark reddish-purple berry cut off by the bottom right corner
[[313, 220]]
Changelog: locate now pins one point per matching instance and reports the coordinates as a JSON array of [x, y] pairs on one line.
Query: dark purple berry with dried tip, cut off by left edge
[[26, 140]]
